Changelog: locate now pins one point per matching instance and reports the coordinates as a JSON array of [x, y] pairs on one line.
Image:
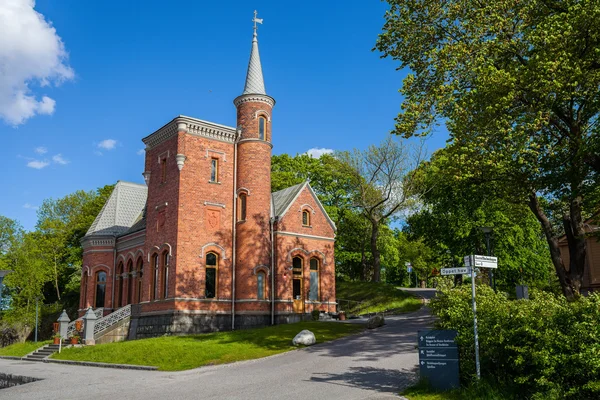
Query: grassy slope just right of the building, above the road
[[376, 297]]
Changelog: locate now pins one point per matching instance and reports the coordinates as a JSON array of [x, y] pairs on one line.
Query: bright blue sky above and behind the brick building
[[134, 65]]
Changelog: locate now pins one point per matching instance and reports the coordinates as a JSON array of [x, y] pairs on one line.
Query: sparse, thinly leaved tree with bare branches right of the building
[[383, 186]]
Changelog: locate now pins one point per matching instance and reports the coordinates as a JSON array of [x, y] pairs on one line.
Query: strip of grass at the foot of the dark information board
[[477, 391]]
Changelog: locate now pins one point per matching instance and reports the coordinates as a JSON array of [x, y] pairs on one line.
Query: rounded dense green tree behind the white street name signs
[[454, 211]]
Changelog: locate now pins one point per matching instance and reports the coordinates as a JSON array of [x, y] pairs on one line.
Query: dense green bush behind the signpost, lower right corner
[[545, 347]]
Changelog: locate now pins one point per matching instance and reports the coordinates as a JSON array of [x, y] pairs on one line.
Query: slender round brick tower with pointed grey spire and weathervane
[[253, 186]]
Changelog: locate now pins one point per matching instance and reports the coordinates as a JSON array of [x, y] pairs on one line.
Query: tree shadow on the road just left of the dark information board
[[379, 379]]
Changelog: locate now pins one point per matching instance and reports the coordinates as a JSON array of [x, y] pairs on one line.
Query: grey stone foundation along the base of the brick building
[[182, 323]]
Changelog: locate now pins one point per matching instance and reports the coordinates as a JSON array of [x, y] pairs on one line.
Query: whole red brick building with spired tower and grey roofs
[[205, 245]]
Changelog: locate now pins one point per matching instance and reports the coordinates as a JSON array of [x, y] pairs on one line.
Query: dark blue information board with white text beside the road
[[438, 358]]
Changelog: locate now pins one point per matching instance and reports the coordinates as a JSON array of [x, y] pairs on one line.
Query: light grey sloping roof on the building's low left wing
[[121, 211]]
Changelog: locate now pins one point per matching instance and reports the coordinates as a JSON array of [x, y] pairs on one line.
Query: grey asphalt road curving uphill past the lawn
[[376, 364]]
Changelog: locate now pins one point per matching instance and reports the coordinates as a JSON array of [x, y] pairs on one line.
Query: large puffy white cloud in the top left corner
[[31, 55]]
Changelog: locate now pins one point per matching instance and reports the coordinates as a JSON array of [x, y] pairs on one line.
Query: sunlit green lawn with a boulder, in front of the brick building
[[174, 353]]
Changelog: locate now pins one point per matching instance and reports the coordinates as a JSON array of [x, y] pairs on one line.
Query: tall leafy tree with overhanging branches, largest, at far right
[[517, 83]]
